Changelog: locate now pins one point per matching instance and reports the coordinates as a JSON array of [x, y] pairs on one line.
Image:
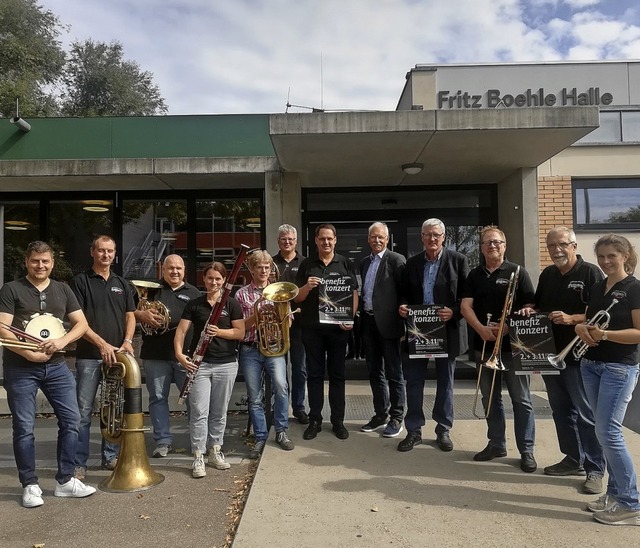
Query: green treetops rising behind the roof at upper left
[[93, 80]]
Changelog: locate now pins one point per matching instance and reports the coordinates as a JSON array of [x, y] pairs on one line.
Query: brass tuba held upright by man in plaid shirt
[[272, 314]]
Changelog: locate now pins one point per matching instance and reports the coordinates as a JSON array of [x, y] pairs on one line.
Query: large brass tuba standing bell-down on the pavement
[[121, 421]]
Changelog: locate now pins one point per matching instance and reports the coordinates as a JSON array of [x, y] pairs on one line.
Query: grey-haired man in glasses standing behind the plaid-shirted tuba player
[[288, 261]]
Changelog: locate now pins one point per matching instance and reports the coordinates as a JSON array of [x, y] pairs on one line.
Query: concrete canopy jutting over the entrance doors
[[456, 147]]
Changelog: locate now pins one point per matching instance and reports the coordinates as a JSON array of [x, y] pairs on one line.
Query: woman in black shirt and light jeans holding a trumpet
[[610, 372]]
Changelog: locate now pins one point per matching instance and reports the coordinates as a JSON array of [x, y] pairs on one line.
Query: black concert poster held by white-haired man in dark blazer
[[426, 332]]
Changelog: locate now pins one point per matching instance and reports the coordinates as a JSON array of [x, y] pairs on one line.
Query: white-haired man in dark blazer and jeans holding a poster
[[436, 276]]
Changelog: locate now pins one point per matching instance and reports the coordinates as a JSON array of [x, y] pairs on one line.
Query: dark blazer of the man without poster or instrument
[[386, 293]]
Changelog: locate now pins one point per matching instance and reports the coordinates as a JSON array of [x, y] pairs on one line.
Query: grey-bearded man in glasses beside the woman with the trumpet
[[563, 293]]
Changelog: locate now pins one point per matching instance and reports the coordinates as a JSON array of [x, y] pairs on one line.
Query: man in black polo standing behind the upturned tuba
[[107, 302]]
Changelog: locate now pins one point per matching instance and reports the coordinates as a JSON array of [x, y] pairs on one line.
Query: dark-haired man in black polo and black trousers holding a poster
[[321, 339]]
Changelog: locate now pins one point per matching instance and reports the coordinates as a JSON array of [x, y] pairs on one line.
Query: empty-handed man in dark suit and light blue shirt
[[382, 327]]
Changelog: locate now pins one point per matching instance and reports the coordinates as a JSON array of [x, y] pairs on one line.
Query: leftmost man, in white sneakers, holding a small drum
[[26, 370]]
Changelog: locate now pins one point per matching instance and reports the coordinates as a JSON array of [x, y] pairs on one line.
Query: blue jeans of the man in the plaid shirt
[[253, 363]]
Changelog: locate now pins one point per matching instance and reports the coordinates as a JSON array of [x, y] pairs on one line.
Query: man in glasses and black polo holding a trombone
[[484, 296]]
